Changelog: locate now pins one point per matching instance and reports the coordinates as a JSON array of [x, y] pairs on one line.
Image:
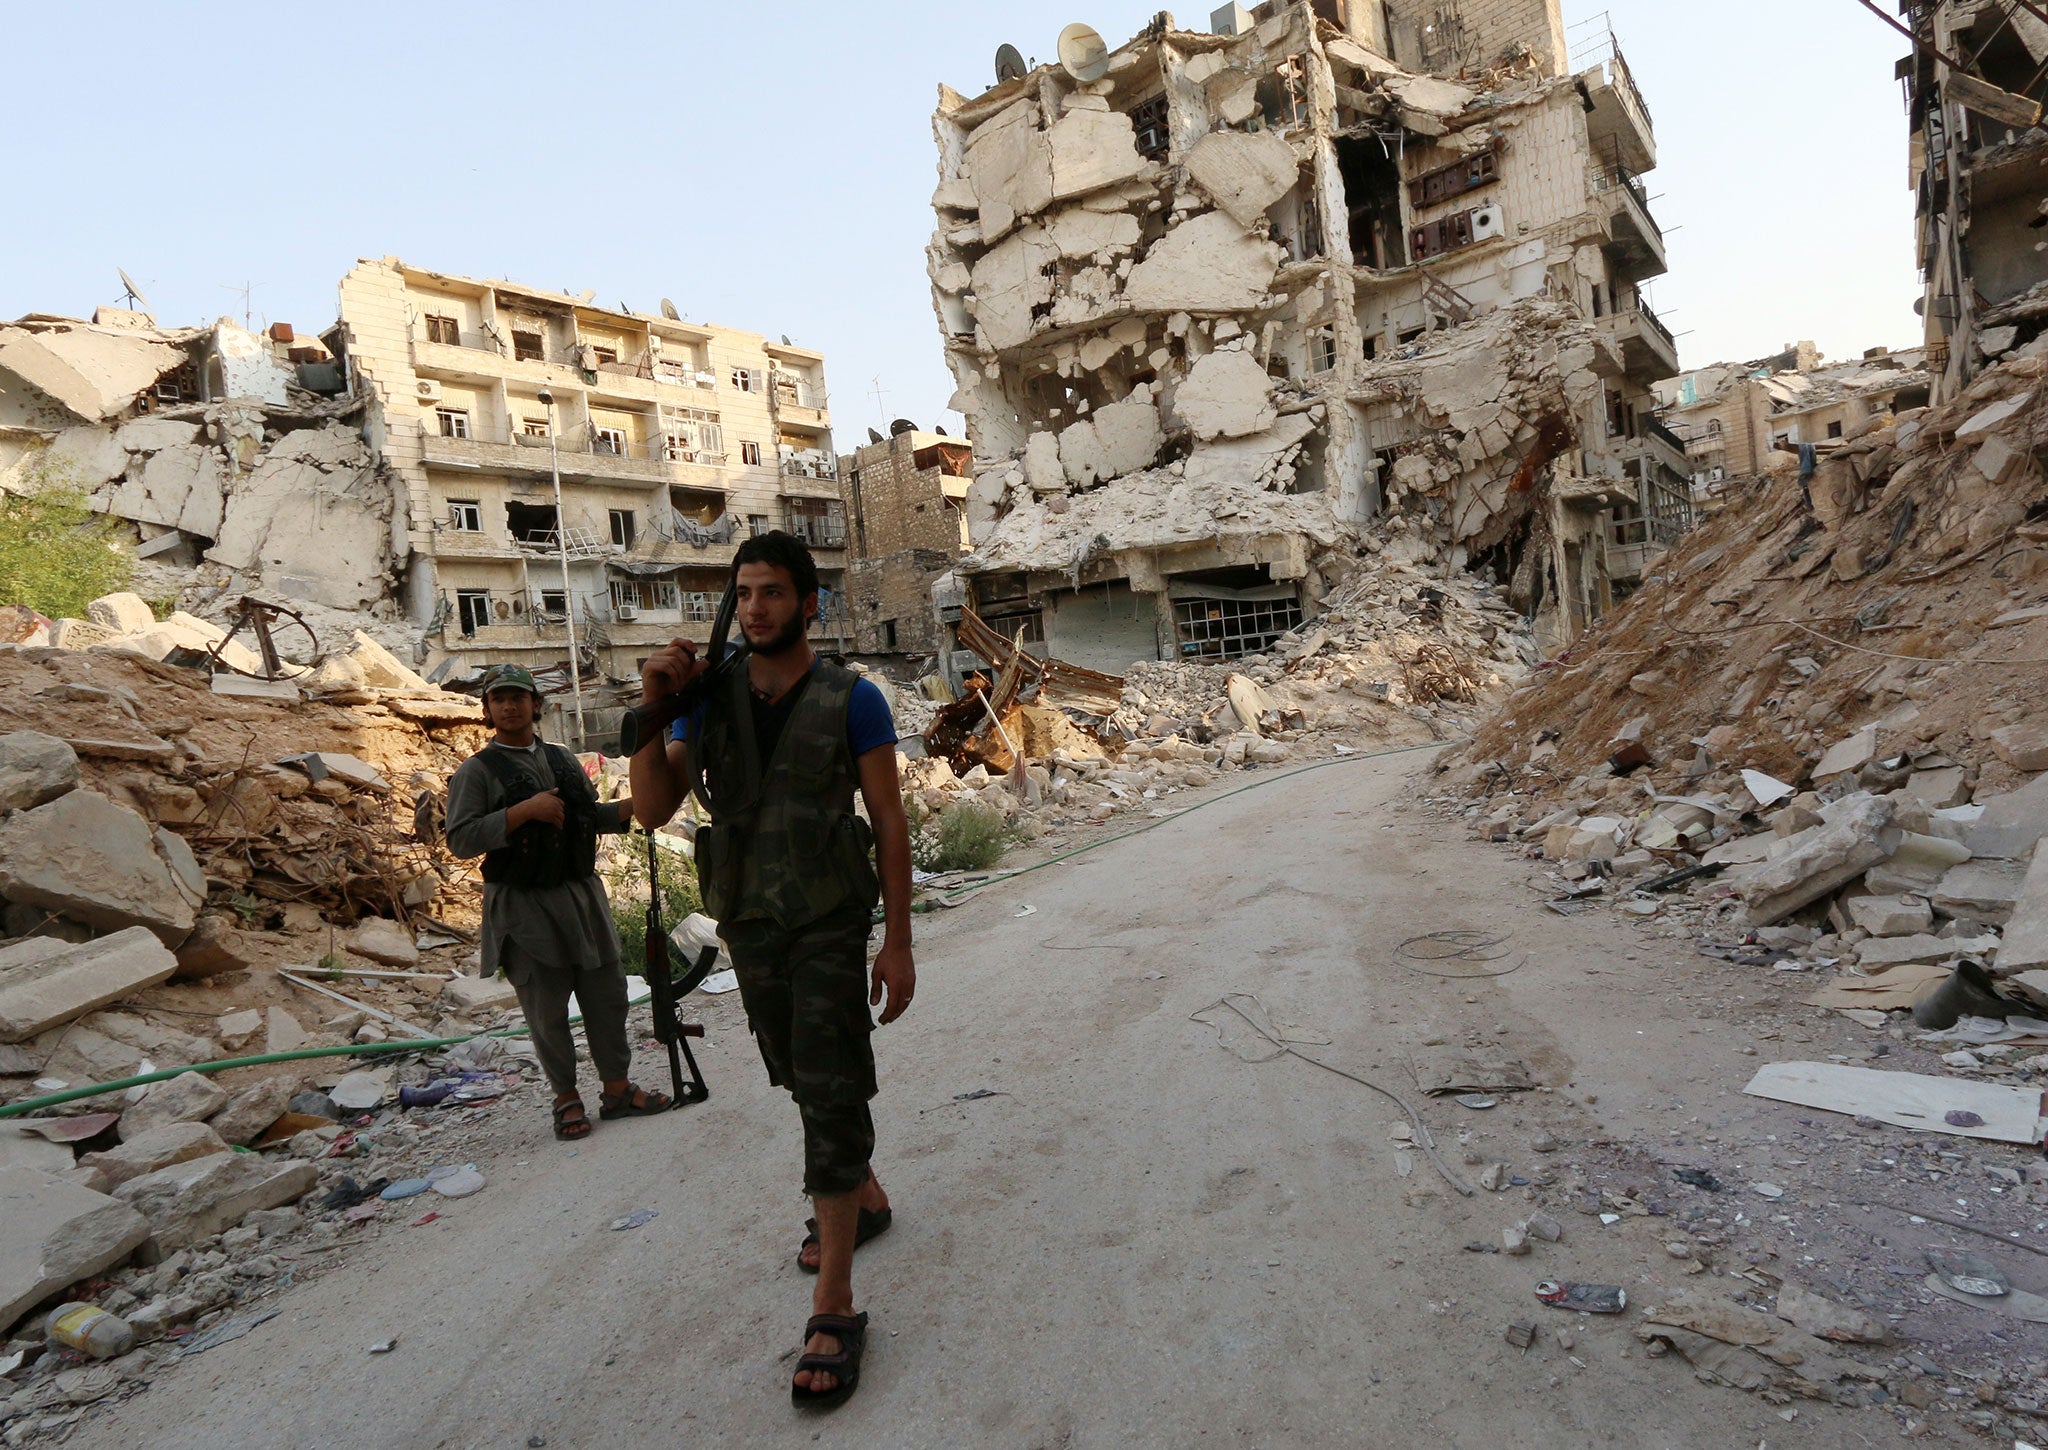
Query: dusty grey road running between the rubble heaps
[[1142, 1240]]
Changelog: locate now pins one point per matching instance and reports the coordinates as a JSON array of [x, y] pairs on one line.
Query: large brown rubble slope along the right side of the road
[[1814, 736]]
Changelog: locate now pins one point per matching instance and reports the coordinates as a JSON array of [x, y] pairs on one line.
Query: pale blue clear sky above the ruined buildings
[[769, 167]]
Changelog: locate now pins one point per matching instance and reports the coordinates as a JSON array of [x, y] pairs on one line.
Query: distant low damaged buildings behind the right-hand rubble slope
[[1732, 417]]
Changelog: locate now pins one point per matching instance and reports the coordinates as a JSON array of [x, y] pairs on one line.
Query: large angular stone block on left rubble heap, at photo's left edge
[[97, 863]]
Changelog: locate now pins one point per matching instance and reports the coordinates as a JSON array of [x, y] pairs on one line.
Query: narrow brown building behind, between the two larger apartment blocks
[[904, 505]]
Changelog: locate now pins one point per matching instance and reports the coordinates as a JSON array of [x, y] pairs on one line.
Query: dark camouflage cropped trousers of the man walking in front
[[808, 1005]]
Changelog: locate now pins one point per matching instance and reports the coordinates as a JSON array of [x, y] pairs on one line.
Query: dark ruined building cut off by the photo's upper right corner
[[1979, 169]]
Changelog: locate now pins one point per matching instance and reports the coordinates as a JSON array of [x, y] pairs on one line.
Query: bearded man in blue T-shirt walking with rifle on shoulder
[[779, 740]]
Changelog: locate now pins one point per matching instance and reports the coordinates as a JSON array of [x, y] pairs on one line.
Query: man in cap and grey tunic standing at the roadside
[[531, 812]]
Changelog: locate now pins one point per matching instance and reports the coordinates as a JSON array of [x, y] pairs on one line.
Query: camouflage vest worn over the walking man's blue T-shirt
[[783, 839]]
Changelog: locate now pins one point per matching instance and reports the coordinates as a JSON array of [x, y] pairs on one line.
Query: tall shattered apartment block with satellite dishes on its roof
[[1222, 304]]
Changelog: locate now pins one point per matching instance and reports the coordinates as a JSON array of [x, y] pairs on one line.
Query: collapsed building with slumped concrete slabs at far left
[[232, 456]]
